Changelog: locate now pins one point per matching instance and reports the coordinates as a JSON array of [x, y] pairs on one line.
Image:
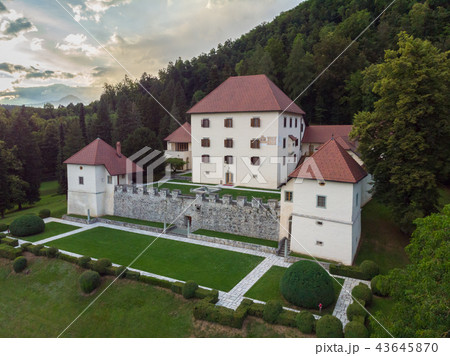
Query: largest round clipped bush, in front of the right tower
[[306, 284]]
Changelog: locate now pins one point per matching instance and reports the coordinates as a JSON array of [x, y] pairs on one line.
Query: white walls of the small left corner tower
[[91, 188]]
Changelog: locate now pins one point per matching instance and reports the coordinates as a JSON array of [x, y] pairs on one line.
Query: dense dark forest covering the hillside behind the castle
[[292, 50]]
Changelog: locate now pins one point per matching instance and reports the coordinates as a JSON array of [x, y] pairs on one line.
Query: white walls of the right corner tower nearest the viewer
[[331, 232]]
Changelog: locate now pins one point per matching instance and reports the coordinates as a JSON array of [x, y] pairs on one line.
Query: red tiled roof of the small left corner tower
[[98, 152]]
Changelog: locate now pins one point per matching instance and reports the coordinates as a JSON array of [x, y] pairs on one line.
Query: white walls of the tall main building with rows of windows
[[278, 155]]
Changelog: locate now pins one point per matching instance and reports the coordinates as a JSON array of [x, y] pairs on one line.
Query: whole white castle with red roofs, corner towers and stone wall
[[245, 133]]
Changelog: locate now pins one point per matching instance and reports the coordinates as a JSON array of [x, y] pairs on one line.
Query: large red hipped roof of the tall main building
[[253, 93]]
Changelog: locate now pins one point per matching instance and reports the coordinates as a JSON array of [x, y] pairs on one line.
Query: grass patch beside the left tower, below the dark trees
[[49, 200]]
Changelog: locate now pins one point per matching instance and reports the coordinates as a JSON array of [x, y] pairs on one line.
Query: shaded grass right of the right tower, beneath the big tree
[[381, 239]]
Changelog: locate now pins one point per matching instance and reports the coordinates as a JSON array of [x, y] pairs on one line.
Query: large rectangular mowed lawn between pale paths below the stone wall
[[210, 267]]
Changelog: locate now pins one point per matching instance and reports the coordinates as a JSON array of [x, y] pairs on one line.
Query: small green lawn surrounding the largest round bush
[[268, 288]]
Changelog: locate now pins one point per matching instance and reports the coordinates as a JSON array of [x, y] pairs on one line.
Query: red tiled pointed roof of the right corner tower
[[333, 163]]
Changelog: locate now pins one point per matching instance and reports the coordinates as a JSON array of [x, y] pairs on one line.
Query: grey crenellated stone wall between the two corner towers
[[225, 215]]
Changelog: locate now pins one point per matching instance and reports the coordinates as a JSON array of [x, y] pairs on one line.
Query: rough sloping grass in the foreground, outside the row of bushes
[[43, 302]]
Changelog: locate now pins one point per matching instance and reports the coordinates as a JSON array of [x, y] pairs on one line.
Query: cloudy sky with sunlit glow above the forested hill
[[53, 48]]
